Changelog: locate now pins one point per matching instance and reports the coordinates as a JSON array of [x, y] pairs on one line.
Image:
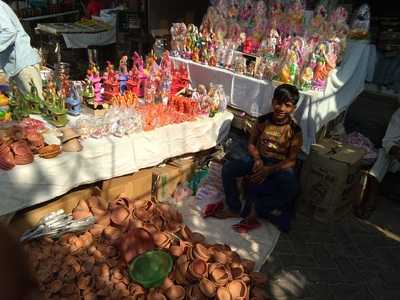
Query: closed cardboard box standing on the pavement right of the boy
[[330, 176]]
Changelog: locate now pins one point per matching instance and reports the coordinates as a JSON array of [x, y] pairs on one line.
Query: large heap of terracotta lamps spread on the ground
[[93, 264]]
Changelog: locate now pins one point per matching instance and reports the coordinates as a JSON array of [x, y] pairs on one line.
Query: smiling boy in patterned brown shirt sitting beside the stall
[[271, 183]]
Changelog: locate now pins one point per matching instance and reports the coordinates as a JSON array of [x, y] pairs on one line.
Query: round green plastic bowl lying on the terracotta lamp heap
[[151, 268]]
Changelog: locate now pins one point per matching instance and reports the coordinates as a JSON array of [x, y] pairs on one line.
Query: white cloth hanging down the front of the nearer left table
[[106, 158]]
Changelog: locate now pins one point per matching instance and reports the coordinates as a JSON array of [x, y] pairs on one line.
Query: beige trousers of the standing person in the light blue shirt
[[26, 76]]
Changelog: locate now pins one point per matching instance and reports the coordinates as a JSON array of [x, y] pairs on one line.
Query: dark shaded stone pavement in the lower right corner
[[347, 260]]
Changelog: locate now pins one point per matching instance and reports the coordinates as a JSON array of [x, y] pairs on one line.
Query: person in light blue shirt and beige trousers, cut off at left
[[19, 60]]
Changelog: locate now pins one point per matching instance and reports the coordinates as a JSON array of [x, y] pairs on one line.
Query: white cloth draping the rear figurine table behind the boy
[[315, 109]]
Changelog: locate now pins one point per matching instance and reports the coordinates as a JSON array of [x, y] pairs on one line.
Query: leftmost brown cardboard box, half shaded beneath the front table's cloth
[[28, 218]]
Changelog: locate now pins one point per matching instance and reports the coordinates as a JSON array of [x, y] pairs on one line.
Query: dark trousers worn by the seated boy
[[277, 192]]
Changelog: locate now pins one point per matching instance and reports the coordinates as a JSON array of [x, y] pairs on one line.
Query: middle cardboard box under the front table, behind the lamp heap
[[135, 186]]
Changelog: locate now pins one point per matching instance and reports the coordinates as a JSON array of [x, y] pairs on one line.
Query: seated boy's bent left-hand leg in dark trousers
[[230, 172]]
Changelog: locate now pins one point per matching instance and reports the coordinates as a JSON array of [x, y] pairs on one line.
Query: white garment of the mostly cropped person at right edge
[[385, 162]]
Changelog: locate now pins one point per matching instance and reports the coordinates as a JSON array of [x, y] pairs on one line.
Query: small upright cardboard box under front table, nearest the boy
[[165, 181]]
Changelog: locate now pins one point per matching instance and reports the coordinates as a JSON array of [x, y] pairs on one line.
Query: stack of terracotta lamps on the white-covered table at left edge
[[19, 147]]
